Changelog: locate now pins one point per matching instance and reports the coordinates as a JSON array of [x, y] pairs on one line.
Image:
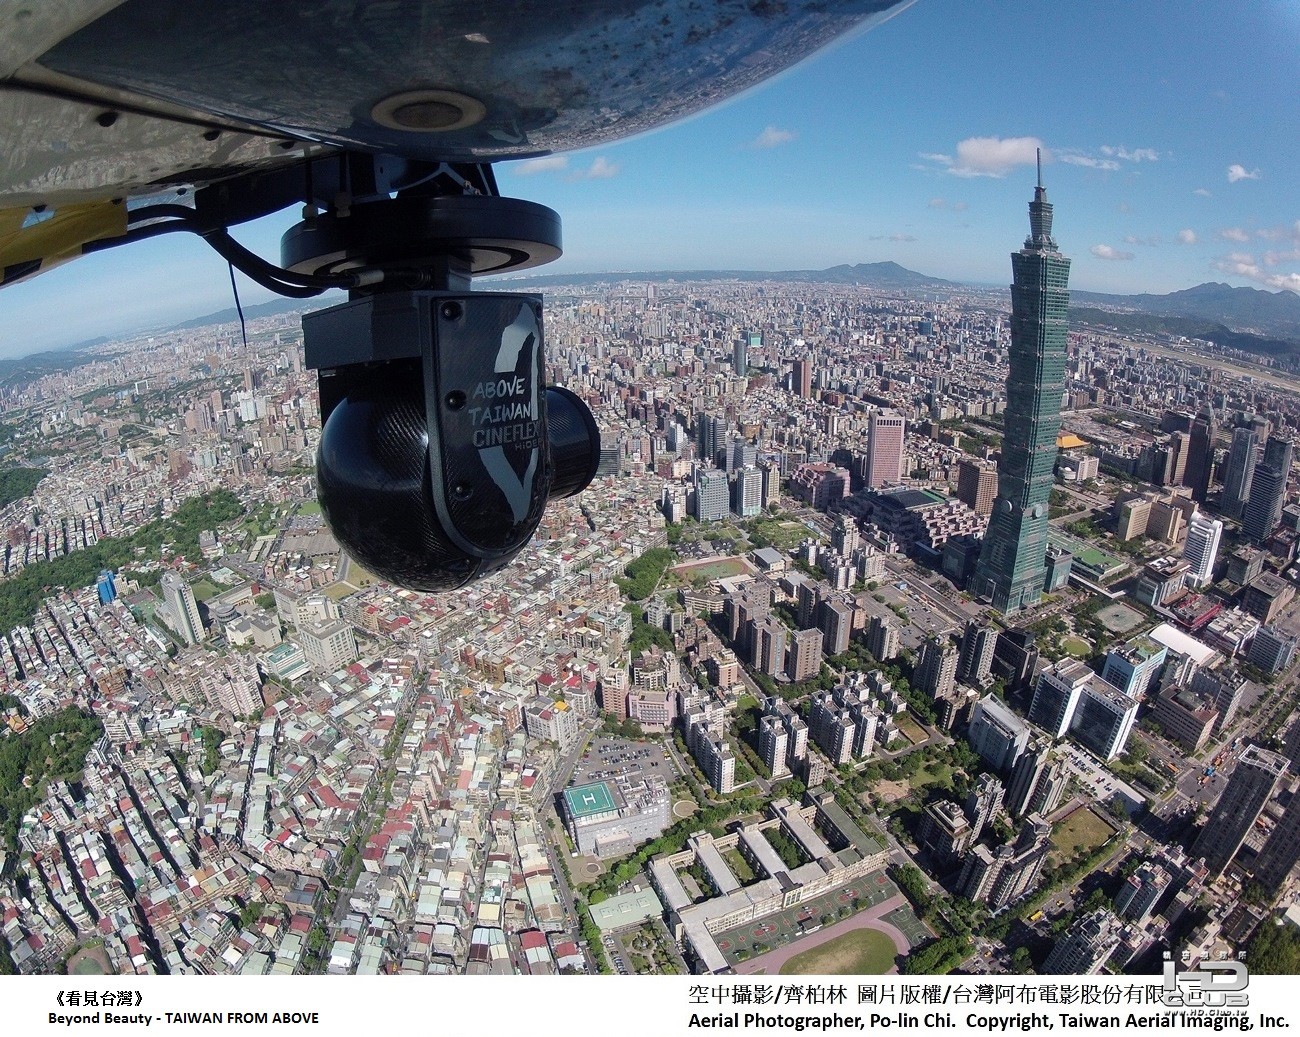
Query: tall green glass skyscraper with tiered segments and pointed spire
[[1013, 559]]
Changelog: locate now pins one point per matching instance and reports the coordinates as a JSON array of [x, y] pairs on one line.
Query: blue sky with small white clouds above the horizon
[[1171, 131]]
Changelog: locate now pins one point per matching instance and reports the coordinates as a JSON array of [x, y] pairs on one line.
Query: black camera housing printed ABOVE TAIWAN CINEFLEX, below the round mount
[[441, 445]]
